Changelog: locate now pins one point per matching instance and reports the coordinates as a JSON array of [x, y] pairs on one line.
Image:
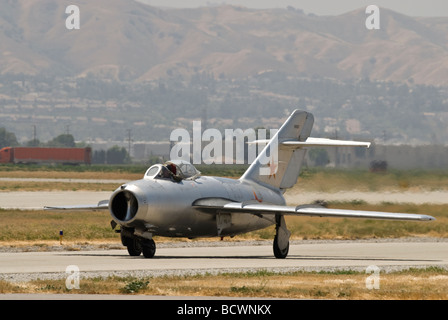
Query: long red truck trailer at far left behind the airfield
[[46, 155]]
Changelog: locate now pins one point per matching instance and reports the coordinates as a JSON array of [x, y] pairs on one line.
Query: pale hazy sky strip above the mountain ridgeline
[[322, 7]]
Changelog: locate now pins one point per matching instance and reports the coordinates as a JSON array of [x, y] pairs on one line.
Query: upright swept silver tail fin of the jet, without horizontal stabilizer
[[279, 165]]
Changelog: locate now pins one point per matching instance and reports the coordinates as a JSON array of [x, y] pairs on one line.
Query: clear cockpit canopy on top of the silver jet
[[176, 170]]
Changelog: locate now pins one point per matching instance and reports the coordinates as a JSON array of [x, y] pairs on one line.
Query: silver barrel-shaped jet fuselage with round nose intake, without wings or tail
[[164, 207]]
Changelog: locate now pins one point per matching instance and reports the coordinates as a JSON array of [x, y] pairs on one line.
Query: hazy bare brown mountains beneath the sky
[[128, 40]]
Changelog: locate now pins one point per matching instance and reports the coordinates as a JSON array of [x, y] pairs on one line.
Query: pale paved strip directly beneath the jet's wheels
[[313, 256]]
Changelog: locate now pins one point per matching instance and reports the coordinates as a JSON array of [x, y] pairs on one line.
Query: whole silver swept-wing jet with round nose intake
[[174, 200]]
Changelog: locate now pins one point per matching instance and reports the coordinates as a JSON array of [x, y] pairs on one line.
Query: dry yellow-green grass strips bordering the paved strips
[[28, 230]]
